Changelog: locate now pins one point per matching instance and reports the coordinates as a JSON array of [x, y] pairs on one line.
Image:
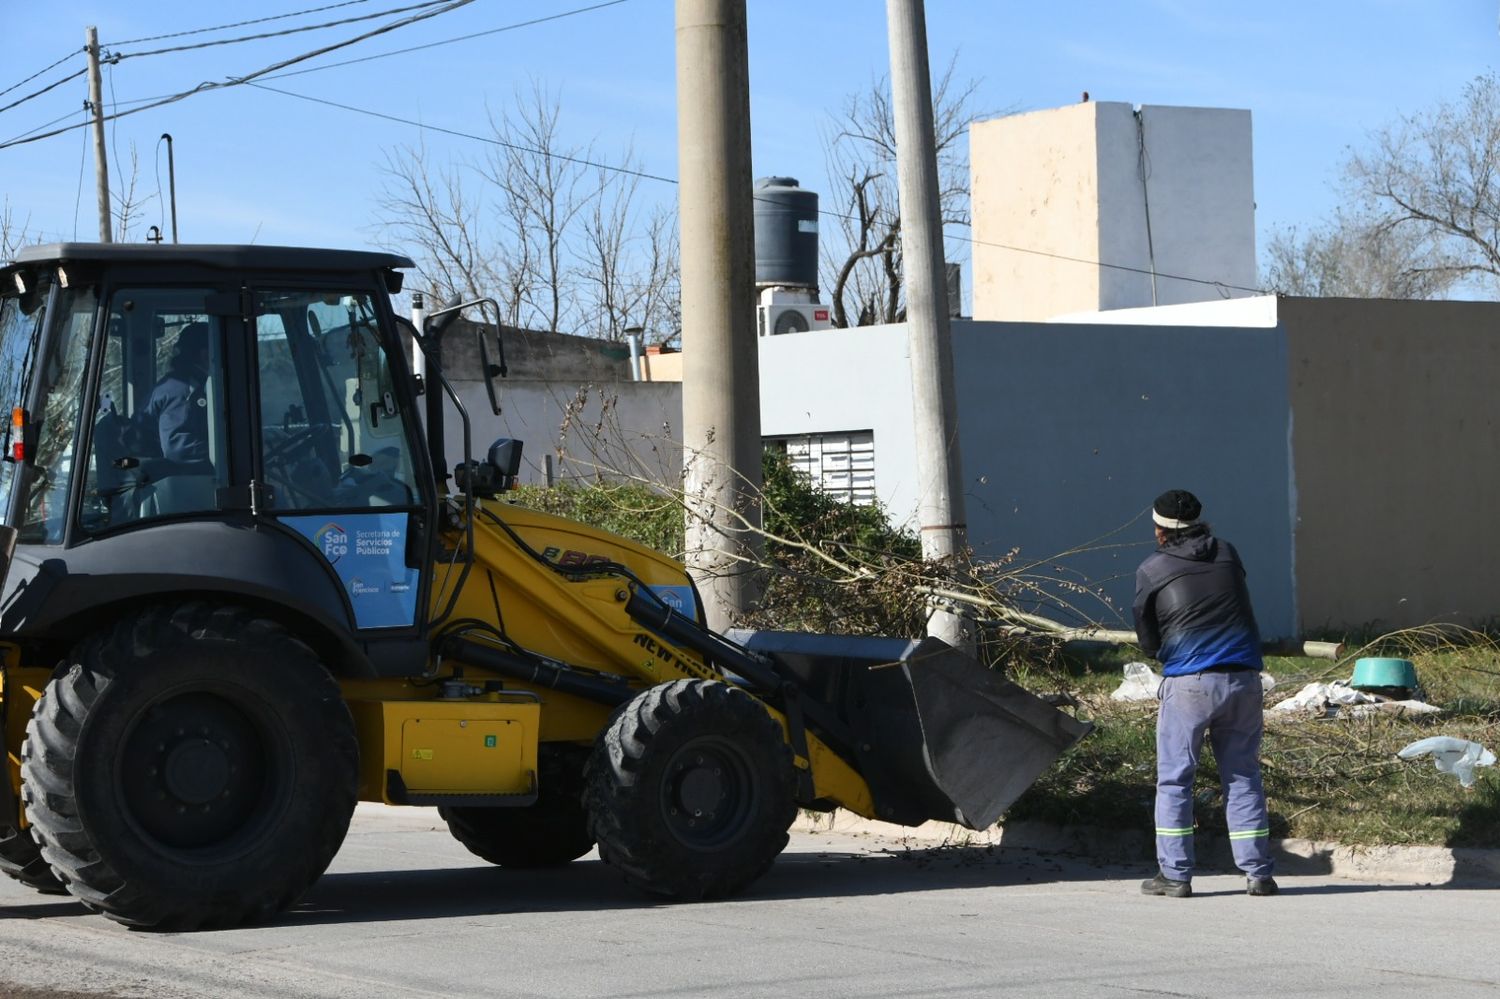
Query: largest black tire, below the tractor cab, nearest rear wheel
[[193, 767]]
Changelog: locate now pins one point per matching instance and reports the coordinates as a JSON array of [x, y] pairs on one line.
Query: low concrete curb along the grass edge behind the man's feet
[[1387, 865]]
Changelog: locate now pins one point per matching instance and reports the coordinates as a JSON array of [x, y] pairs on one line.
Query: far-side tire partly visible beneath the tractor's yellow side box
[[550, 833]]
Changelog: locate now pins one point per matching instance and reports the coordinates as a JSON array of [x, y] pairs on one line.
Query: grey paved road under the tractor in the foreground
[[406, 911]]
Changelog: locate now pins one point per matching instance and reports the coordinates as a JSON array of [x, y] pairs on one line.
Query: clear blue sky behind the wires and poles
[[257, 166]]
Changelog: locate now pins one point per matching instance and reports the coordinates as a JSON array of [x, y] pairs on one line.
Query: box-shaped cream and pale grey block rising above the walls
[[1060, 203]]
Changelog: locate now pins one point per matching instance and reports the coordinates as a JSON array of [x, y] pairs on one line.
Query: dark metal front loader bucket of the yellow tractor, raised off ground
[[934, 733]]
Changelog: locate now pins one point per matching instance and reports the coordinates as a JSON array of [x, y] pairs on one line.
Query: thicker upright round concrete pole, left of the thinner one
[[721, 355]]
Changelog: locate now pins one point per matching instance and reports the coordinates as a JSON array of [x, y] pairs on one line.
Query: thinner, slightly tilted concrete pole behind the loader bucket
[[940, 488]]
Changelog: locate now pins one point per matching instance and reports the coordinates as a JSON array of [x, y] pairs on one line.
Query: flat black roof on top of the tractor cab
[[238, 257]]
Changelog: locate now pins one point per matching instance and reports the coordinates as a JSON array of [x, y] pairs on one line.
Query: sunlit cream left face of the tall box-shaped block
[[1036, 185]]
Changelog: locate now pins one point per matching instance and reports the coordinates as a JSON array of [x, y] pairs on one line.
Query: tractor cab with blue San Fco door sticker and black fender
[[250, 406]]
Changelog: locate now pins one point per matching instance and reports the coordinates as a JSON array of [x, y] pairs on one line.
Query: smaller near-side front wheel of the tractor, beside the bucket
[[691, 790]]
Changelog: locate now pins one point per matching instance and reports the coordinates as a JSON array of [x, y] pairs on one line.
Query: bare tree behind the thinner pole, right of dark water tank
[[862, 257]]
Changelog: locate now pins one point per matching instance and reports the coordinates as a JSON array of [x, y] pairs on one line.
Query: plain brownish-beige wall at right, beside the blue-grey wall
[[1396, 442]]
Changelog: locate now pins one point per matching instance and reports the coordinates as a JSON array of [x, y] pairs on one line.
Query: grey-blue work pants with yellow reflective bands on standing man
[[1226, 706]]
